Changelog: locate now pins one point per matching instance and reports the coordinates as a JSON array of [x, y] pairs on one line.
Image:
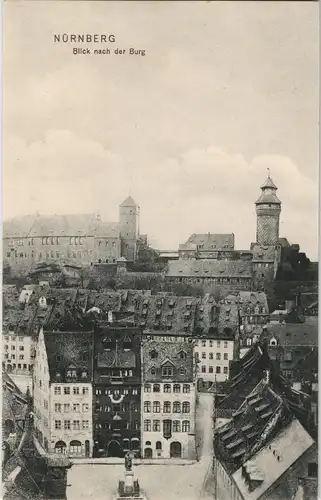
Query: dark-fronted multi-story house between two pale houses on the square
[[117, 391]]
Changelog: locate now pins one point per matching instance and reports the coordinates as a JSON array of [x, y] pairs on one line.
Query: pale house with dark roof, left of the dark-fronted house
[[62, 384]]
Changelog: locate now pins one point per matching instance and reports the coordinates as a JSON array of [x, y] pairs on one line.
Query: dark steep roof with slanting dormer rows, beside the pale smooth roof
[[253, 424]]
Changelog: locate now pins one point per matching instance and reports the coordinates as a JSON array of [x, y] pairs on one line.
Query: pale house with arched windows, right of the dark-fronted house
[[168, 400]]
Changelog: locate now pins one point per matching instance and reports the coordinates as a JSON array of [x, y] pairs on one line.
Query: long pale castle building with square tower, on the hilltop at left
[[71, 239]]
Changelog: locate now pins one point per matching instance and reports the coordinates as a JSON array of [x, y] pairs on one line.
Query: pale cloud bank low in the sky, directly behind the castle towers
[[201, 190]]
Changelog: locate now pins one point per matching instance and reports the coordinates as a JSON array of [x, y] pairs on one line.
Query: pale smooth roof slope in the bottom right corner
[[289, 445]]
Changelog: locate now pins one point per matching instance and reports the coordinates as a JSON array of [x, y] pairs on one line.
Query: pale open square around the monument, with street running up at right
[[159, 482]]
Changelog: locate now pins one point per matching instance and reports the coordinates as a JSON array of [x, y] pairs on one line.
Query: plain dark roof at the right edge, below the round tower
[[295, 334]]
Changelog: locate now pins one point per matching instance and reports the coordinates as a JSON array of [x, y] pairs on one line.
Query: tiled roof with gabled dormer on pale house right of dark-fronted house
[[171, 352]]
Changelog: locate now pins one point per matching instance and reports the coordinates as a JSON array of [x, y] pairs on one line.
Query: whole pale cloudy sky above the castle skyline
[[225, 91]]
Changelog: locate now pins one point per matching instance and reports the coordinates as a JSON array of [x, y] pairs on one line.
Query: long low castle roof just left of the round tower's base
[[209, 268]]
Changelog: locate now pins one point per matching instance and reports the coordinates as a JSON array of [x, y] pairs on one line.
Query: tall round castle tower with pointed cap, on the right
[[268, 209]]
